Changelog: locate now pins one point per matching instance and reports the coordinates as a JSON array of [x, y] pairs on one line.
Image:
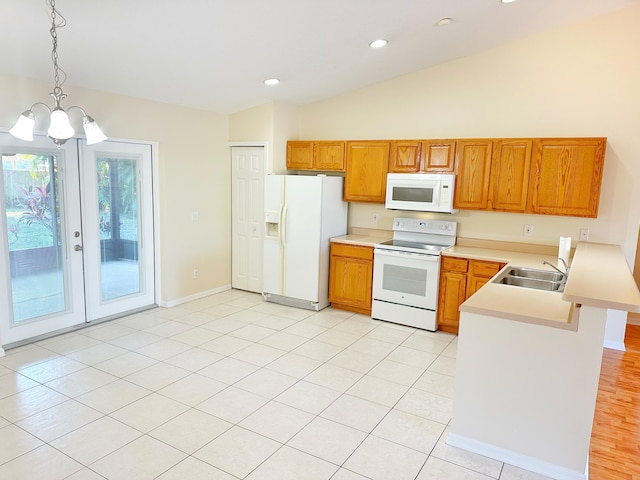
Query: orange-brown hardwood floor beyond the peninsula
[[615, 439]]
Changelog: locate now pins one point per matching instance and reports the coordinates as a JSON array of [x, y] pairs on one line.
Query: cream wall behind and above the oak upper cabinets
[[579, 80]]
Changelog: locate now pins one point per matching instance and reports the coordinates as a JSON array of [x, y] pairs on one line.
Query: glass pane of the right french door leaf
[[119, 227]]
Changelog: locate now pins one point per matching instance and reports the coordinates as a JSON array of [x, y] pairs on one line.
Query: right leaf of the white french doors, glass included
[[117, 227]]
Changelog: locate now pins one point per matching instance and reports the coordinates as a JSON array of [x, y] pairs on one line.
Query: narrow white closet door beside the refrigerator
[[247, 214]]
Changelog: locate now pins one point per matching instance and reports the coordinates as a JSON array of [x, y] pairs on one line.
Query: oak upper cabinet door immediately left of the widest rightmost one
[[510, 168]]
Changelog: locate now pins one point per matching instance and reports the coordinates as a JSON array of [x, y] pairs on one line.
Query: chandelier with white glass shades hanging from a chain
[[60, 129]]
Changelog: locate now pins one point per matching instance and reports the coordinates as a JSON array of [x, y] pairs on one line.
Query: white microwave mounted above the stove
[[422, 192]]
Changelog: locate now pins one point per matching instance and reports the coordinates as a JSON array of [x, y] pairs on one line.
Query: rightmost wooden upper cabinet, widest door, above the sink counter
[[566, 176]]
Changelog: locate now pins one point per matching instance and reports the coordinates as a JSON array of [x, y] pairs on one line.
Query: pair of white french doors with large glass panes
[[77, 234]]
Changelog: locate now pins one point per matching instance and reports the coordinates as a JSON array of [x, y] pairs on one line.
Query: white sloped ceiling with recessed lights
[[215, 54]]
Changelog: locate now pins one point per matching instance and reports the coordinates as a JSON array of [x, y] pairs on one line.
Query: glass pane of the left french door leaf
[[33, 206]]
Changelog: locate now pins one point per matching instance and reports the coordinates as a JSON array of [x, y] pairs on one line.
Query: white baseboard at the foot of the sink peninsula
[[516, 459]]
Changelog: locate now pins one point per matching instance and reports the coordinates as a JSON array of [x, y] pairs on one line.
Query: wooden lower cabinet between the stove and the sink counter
[[459, 279]]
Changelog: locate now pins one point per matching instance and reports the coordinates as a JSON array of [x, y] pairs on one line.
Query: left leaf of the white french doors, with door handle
[[41, 273]]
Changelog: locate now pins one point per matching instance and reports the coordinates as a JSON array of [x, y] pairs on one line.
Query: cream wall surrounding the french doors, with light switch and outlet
[[194, 175]]
